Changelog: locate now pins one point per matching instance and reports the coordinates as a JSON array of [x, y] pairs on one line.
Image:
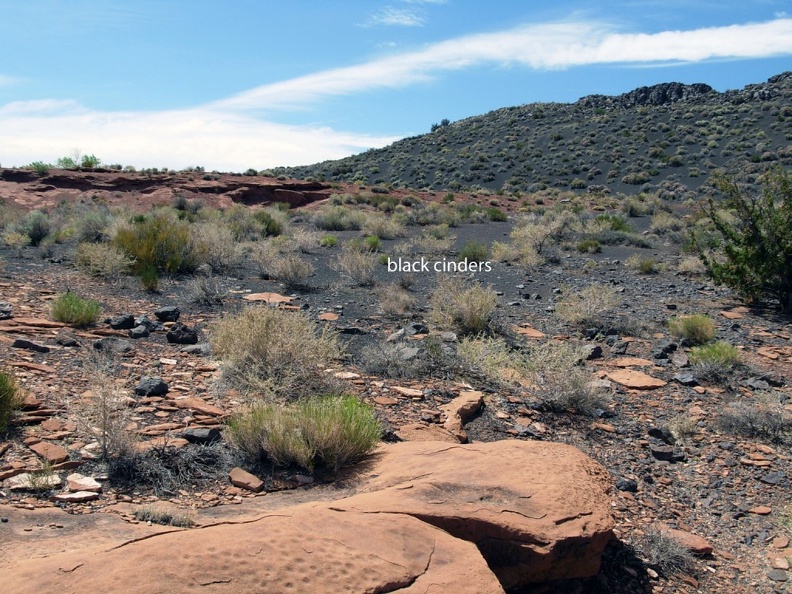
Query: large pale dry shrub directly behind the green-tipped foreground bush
[[271, 351]]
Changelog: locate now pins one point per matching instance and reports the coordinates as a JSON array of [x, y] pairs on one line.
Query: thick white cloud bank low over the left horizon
[[44, 131]]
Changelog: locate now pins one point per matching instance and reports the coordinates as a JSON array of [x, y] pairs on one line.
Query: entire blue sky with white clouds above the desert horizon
[[242, 84]]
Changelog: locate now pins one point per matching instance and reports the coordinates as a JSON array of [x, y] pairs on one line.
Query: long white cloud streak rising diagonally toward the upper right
[[541, 47]]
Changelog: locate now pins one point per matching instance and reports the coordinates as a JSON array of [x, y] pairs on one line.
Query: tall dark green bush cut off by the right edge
[[754, 252]]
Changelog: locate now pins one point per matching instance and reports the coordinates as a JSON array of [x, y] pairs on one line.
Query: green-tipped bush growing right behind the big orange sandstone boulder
[[331, 429]]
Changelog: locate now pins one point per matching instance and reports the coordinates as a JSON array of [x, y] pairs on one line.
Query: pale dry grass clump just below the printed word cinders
[[466, 308]]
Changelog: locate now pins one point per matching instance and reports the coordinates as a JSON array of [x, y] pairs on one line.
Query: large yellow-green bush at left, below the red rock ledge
[[160, 241]]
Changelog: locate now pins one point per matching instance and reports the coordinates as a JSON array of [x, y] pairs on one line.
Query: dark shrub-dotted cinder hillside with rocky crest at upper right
[[666, 137]]
